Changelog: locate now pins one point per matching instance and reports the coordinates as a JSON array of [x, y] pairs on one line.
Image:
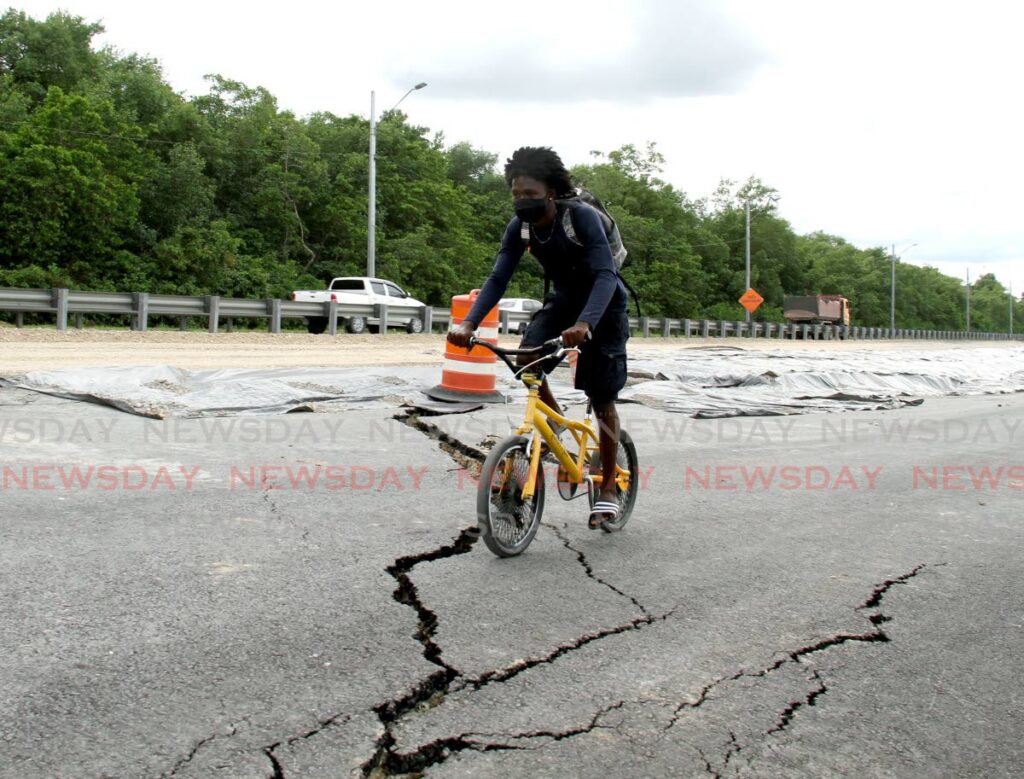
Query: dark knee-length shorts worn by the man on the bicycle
[[602, 367]]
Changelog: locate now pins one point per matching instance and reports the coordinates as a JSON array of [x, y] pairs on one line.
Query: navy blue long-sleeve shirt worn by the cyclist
[[584, 276]]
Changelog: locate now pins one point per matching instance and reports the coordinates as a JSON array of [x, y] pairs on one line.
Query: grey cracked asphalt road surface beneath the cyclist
[[260, 626]]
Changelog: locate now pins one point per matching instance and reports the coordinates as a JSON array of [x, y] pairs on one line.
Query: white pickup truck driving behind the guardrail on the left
[[404, 312]]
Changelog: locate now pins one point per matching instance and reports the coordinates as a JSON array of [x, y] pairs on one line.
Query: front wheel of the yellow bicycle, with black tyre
[[508, 522]]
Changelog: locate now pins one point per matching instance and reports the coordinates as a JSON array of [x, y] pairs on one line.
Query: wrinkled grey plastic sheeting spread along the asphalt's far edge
[[706, 382]]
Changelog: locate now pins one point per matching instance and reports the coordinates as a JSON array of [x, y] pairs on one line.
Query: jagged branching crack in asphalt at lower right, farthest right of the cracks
[[787, 716]]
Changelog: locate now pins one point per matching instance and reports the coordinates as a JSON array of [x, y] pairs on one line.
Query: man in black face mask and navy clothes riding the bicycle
[[588, 298]]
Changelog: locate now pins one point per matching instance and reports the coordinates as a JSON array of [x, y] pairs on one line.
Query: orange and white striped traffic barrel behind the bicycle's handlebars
[[470, 375]]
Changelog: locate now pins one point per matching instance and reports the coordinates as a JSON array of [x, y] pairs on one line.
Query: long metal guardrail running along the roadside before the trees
[[141, 307]]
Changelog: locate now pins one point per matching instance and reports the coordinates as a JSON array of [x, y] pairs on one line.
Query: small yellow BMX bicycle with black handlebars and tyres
[[510, 495]]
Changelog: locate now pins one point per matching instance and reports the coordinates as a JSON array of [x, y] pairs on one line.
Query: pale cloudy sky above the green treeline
[[887, 123]]
